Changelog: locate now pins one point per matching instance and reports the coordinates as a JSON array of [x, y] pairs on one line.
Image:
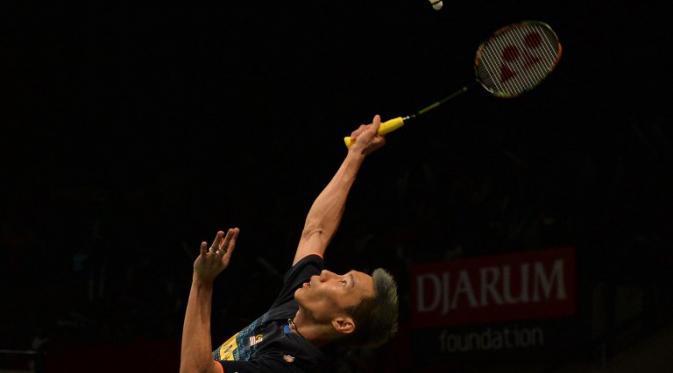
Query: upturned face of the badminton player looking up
[[328, 295]]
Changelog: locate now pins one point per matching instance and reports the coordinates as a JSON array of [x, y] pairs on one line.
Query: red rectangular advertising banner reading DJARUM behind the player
[[516, 286]]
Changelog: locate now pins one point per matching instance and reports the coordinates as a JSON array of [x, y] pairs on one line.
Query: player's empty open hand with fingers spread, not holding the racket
[[212, 261]]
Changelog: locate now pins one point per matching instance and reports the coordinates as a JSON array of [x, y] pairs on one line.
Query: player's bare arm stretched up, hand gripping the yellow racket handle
[[325, 214]]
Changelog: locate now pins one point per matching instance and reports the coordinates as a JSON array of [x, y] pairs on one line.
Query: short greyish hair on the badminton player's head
[[376, 317]]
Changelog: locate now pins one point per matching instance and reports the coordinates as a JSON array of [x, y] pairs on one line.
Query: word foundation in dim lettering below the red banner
[[491, 340]]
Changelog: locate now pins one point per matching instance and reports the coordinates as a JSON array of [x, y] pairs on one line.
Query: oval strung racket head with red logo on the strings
[[517, 58]]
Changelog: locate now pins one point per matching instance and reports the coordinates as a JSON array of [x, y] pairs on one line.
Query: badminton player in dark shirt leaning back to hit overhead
[[315, 310]]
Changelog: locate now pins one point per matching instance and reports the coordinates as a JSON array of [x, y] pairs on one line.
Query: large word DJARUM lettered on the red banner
[[493, 287]]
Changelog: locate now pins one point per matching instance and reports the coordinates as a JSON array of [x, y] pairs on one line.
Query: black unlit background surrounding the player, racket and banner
[[131, 132]]
